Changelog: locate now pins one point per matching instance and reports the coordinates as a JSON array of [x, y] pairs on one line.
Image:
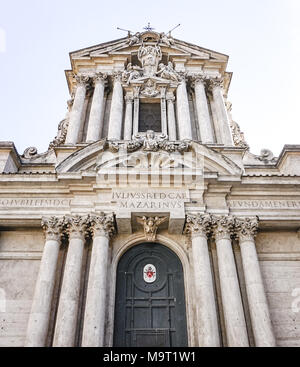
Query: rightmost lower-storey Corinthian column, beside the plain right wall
[[246, 229]]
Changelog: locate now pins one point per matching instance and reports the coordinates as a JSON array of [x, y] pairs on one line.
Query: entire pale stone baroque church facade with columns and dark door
[[148, 222]]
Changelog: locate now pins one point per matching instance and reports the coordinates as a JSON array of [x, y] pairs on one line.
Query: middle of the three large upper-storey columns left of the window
[[97, 109]]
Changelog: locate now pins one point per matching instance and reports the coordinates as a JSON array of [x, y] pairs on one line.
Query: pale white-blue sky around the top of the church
[[262, 38]]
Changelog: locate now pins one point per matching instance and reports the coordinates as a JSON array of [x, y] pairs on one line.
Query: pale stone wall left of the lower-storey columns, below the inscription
[[20, 254]]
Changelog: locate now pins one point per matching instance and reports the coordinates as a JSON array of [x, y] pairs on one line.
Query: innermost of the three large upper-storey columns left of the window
[[116, 111]]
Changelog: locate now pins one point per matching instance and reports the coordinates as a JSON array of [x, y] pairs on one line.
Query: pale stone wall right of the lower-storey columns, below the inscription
[[279, 255]]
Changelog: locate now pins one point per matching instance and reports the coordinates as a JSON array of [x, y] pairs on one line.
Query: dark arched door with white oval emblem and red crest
[[150, 301]]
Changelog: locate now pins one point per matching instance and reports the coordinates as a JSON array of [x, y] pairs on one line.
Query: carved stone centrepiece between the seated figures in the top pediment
[[149, 56]]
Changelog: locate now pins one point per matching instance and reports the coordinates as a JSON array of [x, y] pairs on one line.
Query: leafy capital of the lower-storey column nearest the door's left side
[[103, 225]]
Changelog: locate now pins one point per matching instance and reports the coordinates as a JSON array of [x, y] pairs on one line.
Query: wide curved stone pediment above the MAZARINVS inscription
[[103, 156]]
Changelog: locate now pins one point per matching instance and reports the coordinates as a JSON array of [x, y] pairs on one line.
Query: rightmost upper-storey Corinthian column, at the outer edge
[[221, 112]]
